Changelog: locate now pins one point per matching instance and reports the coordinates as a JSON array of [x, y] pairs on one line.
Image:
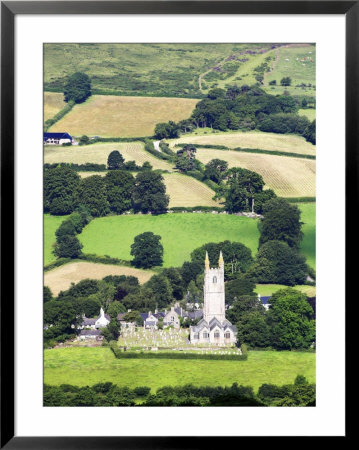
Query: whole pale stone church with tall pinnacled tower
[[214, 328]]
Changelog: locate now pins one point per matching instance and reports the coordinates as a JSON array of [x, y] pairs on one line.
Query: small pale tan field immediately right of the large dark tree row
[[187, 191]]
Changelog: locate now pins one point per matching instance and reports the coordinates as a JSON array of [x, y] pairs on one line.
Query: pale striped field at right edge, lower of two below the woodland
[[288, 177]]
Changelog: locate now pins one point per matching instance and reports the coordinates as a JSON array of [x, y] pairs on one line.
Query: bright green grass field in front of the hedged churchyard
[[88, 366]]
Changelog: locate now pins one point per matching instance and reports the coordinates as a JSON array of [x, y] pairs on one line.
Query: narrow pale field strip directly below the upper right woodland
[[252, 139]]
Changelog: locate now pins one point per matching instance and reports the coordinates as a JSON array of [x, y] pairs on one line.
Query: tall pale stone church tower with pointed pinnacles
[[213, 291]]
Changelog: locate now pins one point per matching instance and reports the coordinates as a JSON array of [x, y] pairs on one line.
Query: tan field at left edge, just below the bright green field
[[60, 279]]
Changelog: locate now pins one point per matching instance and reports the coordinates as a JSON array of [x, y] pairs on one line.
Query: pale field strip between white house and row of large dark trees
[[98, 153]]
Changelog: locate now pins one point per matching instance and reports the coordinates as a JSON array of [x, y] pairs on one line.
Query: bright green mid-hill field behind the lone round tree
[[181, 233]]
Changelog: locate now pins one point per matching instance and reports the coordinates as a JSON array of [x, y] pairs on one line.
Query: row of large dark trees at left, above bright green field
[[117, 192]]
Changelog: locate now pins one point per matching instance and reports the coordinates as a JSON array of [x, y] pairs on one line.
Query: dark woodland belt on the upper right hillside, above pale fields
[[243, 108]]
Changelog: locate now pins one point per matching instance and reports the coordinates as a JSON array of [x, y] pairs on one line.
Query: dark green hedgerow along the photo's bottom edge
[[300, 393]]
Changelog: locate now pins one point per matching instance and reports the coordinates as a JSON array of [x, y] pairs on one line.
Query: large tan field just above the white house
[[109, 115]]
